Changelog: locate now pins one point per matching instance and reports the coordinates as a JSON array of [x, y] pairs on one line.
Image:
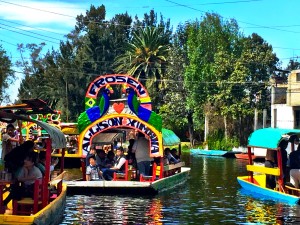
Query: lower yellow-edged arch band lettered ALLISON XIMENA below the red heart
[[122, 121]]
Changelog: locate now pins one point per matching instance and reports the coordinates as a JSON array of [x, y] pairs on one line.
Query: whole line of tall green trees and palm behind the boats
[[203, 73]]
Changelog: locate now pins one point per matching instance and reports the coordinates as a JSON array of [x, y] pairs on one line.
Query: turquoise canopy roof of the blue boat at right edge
[[270, 137]]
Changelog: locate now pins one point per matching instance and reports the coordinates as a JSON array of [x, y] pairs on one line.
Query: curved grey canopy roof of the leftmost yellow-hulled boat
[[58, 138]]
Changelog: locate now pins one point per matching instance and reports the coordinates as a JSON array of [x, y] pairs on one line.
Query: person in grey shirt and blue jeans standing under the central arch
[[141, 150]]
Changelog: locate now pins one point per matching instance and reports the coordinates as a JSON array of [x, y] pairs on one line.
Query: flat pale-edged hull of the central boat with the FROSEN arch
[[128, 187]]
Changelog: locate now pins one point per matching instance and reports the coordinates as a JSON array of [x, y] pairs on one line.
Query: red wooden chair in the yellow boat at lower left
[[27, 206]]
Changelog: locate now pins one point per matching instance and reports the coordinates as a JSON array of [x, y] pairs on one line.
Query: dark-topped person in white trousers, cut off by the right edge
[[295, 167]]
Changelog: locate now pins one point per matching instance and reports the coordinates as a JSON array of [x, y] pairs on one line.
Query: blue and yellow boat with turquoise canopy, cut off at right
[[255, 182]]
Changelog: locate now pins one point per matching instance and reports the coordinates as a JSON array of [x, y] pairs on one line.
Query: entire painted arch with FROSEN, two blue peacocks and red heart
[[134, 112]]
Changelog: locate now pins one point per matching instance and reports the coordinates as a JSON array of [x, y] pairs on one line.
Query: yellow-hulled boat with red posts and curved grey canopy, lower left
[[47, 206]]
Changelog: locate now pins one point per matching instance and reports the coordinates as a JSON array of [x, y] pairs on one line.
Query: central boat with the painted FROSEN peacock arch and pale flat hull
[[124, 107]]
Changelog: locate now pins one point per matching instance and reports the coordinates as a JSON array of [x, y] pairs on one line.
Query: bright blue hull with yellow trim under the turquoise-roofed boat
[[259, 188]]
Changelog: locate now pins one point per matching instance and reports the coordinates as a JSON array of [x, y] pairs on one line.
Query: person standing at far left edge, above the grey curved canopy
[[9, 141]]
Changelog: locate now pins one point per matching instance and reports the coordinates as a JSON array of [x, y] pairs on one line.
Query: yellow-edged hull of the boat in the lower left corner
[[52, 214]]
